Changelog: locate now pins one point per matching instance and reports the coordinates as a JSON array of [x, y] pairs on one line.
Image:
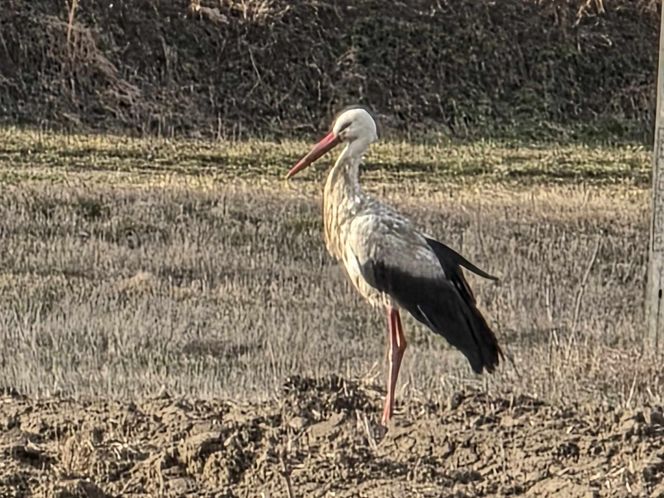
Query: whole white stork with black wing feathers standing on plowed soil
[[390, 262]]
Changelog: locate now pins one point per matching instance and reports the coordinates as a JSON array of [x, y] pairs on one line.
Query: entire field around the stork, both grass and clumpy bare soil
[[183, 286]]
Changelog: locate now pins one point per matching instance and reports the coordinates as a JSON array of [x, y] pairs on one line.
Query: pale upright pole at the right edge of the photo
[[655, 285]]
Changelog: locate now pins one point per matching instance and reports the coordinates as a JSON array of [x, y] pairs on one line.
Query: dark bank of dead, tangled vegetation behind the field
[[240, 68]]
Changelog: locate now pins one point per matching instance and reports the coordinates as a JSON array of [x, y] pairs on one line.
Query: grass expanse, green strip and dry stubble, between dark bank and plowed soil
[[129, 265]]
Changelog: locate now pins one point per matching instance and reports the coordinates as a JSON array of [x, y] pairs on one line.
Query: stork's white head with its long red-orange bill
[[354, 125]]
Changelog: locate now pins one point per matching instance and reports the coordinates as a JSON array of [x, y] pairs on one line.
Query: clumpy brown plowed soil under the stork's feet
[[319, 437]]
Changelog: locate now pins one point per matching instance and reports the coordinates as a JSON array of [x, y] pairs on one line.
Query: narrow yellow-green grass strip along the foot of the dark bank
[[31, 155]]
